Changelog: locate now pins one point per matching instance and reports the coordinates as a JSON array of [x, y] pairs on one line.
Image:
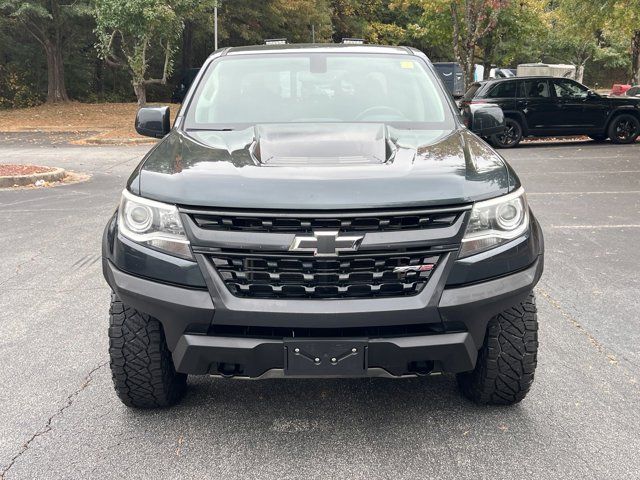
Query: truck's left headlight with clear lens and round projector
[[153, 224]]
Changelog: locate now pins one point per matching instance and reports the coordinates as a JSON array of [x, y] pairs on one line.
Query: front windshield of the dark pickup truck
[[255, 89]]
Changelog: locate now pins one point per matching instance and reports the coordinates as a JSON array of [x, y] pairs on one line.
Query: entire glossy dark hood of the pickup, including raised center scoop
[[322, 166]]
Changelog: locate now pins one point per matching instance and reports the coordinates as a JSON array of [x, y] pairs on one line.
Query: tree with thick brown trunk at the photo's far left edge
[[49, 22]]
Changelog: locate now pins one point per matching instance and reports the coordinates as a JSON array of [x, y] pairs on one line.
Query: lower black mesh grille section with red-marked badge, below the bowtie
[[286, 276]]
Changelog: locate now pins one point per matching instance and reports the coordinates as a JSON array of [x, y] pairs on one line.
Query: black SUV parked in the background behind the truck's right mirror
[[548, 106]]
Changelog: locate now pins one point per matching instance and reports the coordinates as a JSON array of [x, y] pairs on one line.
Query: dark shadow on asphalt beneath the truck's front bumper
[[336, 407]]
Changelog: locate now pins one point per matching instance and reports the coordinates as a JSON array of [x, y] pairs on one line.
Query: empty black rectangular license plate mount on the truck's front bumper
[[325, 357]]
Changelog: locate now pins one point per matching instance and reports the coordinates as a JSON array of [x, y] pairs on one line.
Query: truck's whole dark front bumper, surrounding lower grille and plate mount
[[210, 331]]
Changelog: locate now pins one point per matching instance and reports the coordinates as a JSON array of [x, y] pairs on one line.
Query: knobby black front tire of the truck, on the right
[[507, 360]]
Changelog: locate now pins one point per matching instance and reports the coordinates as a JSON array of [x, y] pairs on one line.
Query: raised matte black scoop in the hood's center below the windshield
[[322, 144]]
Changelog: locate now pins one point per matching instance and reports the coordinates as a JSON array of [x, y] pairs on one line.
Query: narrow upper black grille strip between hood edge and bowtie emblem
[[301, 224]]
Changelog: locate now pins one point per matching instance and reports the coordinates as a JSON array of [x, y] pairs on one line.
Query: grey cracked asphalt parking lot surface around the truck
[[59, 417]]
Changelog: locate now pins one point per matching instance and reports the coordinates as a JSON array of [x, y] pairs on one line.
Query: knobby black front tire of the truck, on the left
[[141, 365]]
